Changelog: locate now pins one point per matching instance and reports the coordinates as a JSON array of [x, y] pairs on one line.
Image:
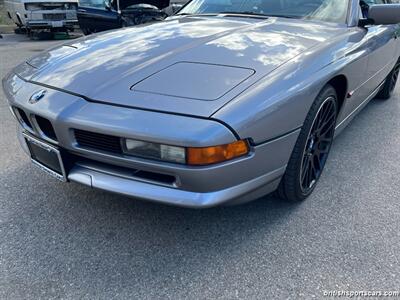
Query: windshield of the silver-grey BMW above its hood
[[324, 10]]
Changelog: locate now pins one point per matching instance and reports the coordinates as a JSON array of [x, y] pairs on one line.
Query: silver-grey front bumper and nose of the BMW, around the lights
[[232, 182]]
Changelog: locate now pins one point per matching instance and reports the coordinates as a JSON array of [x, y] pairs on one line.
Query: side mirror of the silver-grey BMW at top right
[[385, 14]]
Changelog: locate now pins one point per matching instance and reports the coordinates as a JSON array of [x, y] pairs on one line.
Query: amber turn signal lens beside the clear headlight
[[216, 154]]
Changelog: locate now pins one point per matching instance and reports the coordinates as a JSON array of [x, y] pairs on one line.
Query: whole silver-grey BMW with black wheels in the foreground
[[224, 102]]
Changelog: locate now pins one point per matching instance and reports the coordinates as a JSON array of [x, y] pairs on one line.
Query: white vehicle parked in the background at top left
[[55, 15]]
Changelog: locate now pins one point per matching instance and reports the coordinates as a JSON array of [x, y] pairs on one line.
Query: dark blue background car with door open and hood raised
[[99, 15]]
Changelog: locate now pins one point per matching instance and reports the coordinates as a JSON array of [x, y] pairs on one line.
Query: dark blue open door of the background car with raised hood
[[93, 16]]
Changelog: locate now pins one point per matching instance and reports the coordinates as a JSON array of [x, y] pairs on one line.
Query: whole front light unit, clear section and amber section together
[[191, 155]]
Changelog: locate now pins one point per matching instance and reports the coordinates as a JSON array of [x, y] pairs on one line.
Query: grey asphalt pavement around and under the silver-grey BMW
[[69, 241]]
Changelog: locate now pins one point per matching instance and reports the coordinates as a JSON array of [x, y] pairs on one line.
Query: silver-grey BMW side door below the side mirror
[[381, 42]]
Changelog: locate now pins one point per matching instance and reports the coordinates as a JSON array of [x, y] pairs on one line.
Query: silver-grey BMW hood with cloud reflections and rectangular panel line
[[186, 65]]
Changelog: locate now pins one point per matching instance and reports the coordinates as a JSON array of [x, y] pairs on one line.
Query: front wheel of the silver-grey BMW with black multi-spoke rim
[[317, 131]]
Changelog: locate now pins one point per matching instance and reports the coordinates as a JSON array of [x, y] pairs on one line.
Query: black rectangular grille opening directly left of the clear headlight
[[98, 141]]
